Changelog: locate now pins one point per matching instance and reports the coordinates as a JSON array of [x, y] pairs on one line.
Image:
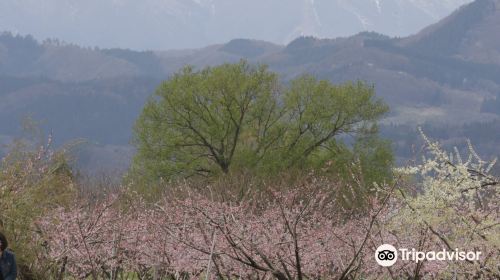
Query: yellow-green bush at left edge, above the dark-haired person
[[32, 183]]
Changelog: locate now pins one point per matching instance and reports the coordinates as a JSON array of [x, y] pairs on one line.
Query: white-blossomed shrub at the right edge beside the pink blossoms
[[456, 207]]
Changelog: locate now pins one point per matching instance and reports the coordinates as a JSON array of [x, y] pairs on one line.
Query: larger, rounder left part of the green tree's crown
[[198, 118]]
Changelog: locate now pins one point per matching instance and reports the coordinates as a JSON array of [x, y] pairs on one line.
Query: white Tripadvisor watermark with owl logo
[[387, 255]]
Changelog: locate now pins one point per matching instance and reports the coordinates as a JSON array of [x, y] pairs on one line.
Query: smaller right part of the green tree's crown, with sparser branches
[[317, 112]]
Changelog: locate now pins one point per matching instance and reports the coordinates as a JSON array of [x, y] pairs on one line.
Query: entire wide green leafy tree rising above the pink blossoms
[[238, 116]]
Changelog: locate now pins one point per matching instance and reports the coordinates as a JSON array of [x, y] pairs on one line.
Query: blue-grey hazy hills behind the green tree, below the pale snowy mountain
[[447, 77]]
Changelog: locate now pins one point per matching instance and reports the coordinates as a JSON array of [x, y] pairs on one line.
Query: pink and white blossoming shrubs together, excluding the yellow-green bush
[[302, 232]]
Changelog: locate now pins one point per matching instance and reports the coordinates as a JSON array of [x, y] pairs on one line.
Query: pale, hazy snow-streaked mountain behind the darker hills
[[167, 24]]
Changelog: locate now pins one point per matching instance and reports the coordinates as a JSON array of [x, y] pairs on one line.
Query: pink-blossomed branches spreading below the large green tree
[[295, 234]]
